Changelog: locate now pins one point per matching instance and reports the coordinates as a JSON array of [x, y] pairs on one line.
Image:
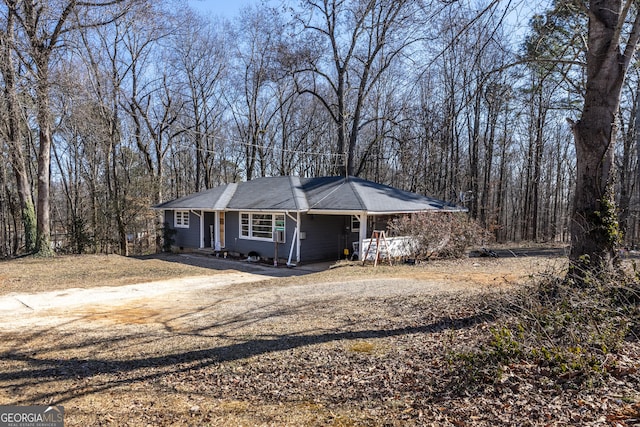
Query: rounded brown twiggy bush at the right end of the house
[[440, 234]]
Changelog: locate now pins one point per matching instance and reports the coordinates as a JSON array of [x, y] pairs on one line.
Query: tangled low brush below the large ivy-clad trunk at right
[[571, 334]]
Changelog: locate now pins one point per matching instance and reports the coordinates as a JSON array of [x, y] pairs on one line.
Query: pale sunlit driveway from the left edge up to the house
[[71, 305]]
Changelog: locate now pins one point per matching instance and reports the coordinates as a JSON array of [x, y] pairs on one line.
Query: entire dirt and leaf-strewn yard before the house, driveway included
[[193, 340]]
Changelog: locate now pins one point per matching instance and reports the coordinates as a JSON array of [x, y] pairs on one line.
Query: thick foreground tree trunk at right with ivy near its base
[[594, 226]]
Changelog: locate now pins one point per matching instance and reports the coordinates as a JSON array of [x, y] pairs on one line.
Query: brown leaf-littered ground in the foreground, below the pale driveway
[[346, 361]]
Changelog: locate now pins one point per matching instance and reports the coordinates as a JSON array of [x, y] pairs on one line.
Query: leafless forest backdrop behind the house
[[139, 102]]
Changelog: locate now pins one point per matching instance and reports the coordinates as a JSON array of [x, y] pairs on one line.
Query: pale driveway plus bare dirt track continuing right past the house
[[227, 294]]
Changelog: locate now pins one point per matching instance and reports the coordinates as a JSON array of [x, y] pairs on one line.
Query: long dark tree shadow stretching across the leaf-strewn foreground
[[34, 370]]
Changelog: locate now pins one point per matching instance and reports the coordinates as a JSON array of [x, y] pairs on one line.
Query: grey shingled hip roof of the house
[[323, 194]]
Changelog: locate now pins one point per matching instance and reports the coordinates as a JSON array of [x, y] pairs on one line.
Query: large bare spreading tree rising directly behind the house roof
[[363, 39]]
